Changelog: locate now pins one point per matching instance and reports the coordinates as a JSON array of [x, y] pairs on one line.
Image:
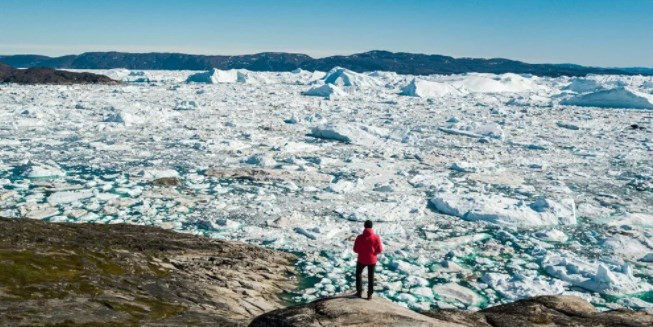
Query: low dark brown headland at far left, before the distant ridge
[[50, 76]]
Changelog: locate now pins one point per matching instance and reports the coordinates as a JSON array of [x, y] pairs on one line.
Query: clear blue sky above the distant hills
[[590, 32]]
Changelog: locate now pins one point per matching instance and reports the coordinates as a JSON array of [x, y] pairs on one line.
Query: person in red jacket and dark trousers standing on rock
[[367, 246]]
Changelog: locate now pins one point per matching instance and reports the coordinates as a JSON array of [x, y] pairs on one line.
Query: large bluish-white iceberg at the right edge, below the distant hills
[[620, 97]]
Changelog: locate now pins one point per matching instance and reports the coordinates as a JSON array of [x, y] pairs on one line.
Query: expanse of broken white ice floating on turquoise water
[[484, 188]]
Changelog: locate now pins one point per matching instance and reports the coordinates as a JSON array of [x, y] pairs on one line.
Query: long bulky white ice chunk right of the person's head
[[506, 211]]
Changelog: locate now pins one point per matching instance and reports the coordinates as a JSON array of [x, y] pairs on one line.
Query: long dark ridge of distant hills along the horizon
[[399, 62]]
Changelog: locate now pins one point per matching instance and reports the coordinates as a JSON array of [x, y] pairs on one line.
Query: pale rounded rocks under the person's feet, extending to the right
[[538, 311]]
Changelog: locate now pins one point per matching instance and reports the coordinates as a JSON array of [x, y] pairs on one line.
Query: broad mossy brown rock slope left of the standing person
[[125, 275]]
